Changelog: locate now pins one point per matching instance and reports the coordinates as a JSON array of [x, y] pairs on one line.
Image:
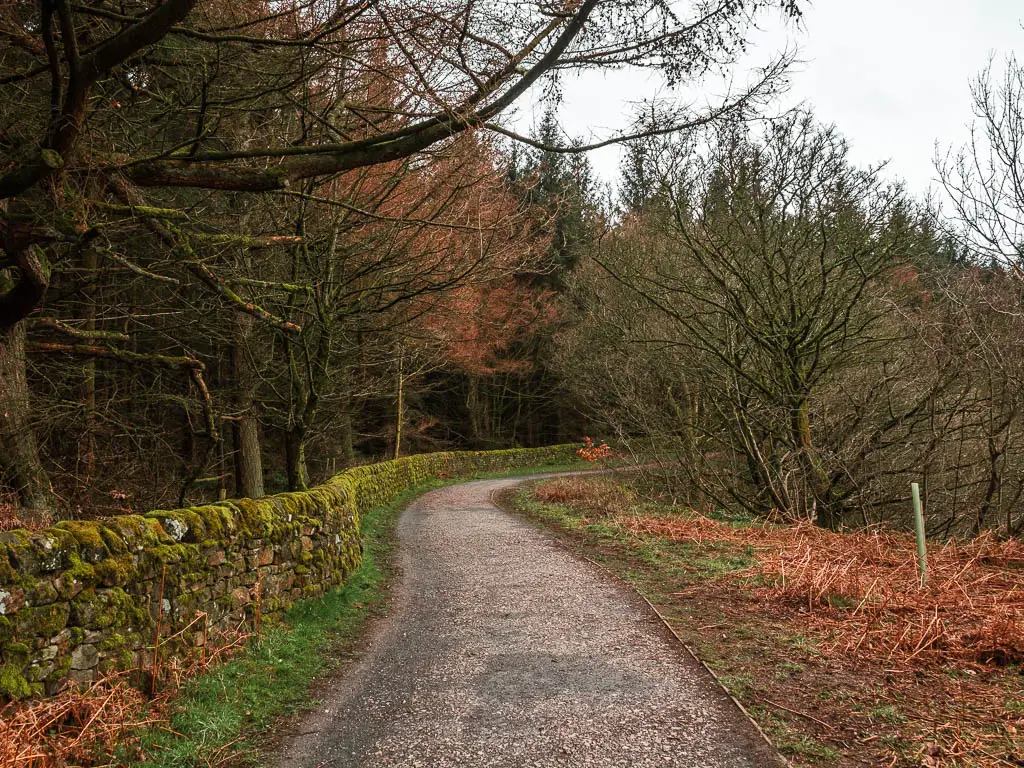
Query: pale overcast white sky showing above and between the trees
[[892, 75]]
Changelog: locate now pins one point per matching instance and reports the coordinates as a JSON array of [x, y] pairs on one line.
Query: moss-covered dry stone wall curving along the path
[[84, 598]]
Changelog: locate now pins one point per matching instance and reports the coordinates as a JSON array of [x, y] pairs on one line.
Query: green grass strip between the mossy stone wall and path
[[219, 714]]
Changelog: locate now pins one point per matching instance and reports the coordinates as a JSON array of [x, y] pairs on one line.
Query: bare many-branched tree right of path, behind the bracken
[[767, 277]]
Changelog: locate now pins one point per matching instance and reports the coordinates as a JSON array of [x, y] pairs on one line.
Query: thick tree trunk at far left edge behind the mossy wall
[[21, 468]]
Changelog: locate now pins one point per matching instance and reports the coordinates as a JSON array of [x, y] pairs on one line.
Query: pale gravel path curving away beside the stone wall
[[504, 650]]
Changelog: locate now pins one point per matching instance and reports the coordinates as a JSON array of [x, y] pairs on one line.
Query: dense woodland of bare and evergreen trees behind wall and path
[[247, 245]]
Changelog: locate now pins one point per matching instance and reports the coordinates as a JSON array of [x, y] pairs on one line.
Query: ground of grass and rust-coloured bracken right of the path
[[827, 639]]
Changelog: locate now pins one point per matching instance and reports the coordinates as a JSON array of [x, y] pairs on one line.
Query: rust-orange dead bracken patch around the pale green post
[[865, 587]]
